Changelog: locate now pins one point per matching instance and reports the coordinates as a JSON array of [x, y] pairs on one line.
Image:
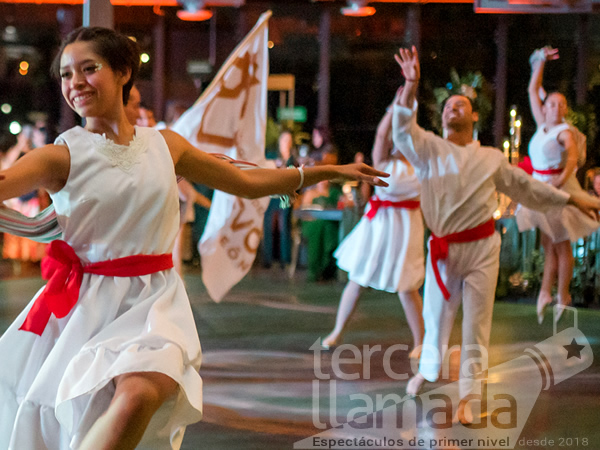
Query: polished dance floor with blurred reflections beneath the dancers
[[268, 386]]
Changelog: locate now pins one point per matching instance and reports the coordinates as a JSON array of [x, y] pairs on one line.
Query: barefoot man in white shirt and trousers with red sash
[[458, 197]]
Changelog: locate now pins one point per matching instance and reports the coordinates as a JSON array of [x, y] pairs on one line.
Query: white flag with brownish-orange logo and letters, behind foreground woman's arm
[[230, 118]]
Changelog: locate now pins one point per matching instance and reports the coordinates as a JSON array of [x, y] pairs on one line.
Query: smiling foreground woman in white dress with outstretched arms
[[110, 343]]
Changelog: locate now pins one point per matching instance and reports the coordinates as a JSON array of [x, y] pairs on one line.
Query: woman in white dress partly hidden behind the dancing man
[[385, 250]]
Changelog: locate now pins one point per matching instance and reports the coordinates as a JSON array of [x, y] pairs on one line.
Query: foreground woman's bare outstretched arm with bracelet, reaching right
[[199, 167]]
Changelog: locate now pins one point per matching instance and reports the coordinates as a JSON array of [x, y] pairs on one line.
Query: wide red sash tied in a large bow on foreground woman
[[64, 271]]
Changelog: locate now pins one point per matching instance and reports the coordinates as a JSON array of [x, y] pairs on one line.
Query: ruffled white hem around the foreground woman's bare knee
[[91, 371]]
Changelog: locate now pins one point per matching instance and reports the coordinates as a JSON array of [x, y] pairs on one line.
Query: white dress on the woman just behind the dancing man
[[387, 252]]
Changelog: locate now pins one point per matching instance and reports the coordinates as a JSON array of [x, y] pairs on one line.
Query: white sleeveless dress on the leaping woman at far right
[[560, 224]]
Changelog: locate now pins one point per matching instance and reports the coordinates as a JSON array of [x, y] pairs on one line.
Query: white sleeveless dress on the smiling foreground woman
[[118, 201]]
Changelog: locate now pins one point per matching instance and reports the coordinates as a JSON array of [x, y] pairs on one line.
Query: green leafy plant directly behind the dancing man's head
[[472, 85]]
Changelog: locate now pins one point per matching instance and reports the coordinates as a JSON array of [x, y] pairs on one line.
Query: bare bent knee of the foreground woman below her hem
[[137, 397]]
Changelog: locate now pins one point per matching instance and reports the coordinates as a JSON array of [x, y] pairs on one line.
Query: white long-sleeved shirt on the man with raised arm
[[459, 183]]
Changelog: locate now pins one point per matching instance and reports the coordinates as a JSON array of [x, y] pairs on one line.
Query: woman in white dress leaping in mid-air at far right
[[554, 154]]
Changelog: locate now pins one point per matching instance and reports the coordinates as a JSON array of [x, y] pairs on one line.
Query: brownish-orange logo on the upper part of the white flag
[[248, 68]]
